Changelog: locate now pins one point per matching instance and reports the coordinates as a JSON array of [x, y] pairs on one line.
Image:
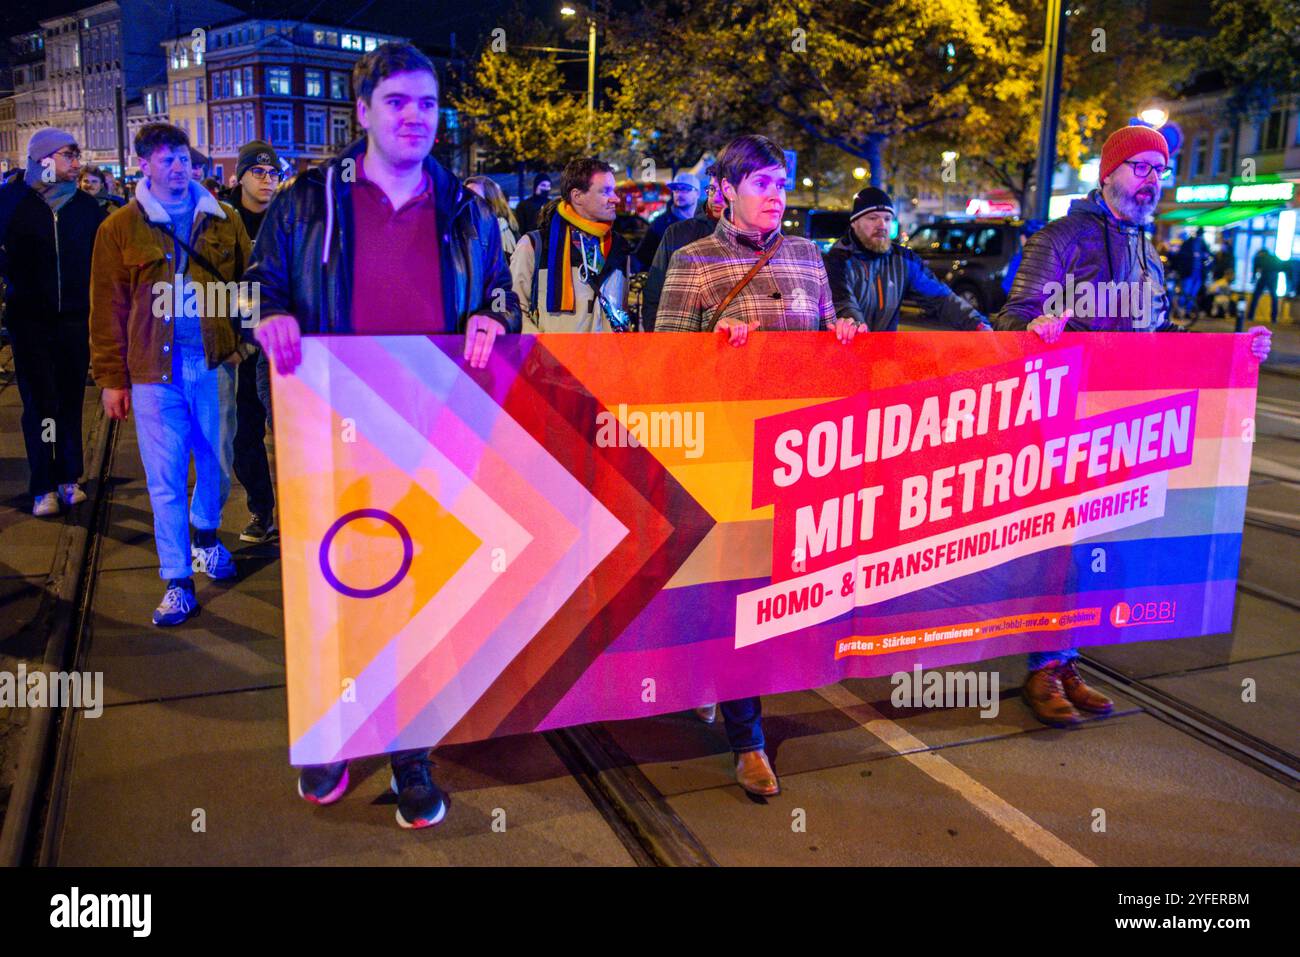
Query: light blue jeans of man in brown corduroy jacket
[[194, 414]]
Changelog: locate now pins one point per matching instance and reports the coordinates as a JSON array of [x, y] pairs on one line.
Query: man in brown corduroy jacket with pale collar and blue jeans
[[166, 341]]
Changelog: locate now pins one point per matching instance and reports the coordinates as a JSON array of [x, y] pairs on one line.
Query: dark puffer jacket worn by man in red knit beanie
[[1089, 250]]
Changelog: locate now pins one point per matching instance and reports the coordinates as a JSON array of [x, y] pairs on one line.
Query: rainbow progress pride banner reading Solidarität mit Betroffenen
[[612, 527]]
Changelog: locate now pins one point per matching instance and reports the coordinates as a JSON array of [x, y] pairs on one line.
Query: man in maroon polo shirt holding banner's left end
[[383, 241]]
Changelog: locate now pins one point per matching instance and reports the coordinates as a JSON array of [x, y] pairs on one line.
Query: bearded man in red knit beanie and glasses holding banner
[[1097, 270]]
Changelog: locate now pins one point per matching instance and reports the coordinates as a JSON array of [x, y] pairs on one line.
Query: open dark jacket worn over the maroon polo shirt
[[304, 256]]
